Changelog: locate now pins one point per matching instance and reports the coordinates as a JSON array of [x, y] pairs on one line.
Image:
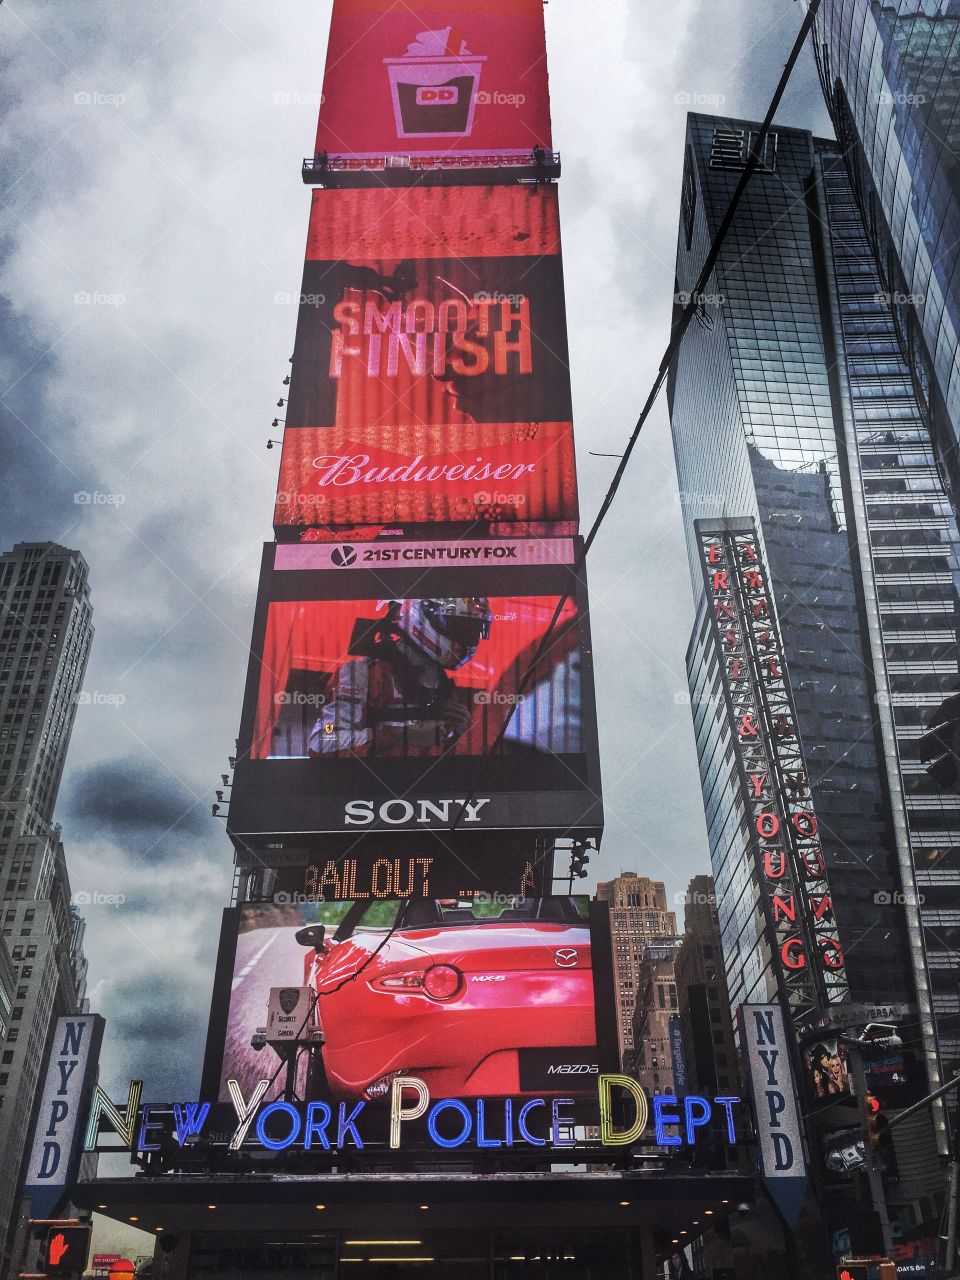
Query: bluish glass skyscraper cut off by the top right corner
[[892, 77]]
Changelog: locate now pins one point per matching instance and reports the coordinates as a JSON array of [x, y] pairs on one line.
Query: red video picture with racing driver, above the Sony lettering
[[417, 678]]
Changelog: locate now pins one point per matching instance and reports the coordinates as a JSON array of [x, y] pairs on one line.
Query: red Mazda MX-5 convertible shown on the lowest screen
[[476, 1004]]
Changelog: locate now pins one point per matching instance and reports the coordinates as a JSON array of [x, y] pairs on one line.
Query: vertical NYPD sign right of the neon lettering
[[780, 1153]]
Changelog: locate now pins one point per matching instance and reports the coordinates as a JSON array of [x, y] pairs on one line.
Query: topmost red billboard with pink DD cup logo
[[435, 81]]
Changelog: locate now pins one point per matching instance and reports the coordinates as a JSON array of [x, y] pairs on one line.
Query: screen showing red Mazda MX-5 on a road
[[476, 999]]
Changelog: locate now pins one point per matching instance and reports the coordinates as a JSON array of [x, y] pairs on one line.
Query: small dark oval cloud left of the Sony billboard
[[127, 799]]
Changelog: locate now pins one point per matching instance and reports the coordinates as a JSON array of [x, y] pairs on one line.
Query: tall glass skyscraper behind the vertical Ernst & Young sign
[[794, 414]]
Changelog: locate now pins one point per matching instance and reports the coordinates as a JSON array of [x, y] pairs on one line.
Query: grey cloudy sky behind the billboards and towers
[[154, 213]]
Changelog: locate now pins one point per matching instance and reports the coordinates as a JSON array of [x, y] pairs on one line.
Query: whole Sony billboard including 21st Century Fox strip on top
[[391, 698]]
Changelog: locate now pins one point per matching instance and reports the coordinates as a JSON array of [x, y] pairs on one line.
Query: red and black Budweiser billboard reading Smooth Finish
[[431, 381]]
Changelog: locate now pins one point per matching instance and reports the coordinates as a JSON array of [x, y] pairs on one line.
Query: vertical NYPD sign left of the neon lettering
[[54, 1155]]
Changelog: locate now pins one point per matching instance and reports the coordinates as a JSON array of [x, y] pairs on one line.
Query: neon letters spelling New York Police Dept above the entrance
[[449, 1123]]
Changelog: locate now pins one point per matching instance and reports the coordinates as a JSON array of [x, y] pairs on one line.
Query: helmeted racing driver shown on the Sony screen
[[394, 696]]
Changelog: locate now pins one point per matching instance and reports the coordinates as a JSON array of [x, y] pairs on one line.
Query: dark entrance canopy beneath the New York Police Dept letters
[[426, 1224]]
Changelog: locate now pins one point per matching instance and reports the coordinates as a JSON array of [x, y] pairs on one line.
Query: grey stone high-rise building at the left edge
[[45, 638]]
